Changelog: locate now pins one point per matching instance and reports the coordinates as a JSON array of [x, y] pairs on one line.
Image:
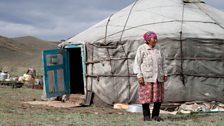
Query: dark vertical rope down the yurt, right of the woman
[[181, 48]]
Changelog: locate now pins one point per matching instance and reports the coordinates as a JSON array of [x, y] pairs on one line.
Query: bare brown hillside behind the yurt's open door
[[18, 54]]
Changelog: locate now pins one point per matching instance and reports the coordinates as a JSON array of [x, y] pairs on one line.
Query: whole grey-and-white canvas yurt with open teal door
[[100, 59]]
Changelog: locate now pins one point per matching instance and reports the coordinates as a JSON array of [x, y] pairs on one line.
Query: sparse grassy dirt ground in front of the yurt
[[13, 111]]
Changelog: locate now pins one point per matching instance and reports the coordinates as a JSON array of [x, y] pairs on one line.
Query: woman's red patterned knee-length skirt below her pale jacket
[[151, 92]]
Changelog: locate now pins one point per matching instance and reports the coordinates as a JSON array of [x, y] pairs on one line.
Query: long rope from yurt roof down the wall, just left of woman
[[126, 55]]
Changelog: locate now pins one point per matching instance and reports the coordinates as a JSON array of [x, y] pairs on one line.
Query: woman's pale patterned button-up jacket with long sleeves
[[150, 64]]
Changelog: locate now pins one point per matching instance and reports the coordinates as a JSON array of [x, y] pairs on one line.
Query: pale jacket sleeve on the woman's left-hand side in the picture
[[137, 64]]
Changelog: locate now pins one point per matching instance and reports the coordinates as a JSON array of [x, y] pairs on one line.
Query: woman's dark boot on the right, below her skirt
[[155, 112]]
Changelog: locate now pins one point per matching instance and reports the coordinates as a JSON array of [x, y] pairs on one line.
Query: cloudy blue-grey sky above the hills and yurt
[[59, 19]]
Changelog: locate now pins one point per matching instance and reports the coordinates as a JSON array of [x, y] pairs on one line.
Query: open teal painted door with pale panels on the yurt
[[55, 76]]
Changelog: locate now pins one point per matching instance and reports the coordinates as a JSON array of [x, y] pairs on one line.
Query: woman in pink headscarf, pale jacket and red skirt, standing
[[150, 68]]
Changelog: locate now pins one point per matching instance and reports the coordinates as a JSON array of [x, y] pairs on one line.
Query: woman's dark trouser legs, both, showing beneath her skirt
[[155, 111]]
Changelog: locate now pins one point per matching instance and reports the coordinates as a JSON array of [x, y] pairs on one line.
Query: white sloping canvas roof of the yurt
[[168, 18]]
